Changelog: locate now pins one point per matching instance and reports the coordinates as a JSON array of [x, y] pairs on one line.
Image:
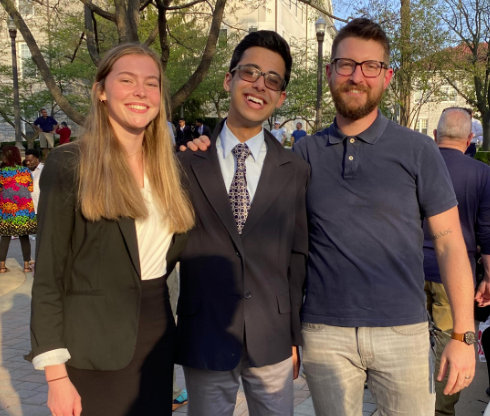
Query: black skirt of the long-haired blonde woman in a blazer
[[144, 387]]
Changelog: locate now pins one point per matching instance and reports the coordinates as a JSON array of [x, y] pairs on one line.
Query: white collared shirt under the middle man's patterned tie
[[227, 160]]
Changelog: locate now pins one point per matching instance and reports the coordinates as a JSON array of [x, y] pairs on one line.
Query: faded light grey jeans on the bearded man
[[396, 361]]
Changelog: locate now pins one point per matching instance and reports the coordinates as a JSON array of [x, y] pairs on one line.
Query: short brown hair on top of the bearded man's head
[[365, 29]]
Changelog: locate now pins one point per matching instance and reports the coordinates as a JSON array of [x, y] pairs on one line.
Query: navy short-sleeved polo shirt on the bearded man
[[366, 202]]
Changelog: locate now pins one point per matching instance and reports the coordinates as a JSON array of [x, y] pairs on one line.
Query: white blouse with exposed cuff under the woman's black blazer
[[154, 239]]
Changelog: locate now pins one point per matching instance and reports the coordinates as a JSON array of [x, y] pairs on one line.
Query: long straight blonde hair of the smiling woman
[[107, 187]]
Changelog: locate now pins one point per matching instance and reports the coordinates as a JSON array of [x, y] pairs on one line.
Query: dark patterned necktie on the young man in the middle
[[239, 196]]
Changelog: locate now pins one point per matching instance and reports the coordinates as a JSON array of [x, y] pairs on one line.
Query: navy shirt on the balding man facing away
[[471, 182]]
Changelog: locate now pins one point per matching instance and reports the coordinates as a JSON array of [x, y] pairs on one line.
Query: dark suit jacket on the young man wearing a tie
[[252, 283]]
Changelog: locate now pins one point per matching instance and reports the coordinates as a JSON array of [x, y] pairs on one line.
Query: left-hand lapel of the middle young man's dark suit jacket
[[208, 174]]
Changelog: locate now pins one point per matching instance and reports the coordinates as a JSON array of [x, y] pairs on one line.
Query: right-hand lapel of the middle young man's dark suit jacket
[[275, 174]]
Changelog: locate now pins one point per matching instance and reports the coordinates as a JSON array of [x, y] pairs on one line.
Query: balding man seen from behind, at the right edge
[[471, 182]]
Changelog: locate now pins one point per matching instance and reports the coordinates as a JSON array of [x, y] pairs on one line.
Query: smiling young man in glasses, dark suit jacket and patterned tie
[[243, 270]]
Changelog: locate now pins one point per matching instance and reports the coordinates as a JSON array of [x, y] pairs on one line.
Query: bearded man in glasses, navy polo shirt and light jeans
[[372, 184]]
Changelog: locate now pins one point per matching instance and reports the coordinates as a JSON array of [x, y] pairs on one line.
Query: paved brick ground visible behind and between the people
[[23, 390]]
